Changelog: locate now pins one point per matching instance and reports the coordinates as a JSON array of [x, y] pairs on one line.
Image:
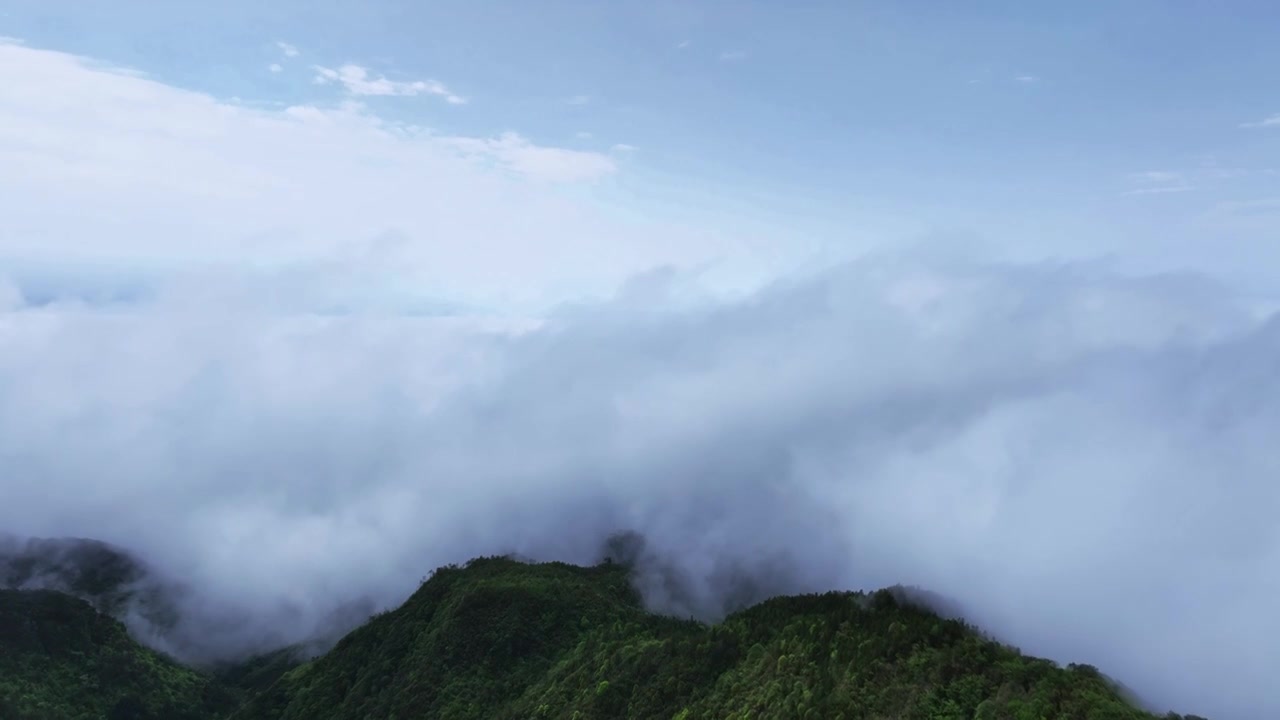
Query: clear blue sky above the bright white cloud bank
[[820, 129]]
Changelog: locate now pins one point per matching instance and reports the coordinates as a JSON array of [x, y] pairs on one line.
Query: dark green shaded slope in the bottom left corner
[[63, 660]]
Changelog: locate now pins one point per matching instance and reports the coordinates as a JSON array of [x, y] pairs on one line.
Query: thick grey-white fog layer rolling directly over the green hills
[[1085, 462]]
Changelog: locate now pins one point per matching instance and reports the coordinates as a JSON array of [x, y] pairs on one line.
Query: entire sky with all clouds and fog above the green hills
[[301, 300]]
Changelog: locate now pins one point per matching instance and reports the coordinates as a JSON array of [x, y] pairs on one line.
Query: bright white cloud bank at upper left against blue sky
[[168, 177]]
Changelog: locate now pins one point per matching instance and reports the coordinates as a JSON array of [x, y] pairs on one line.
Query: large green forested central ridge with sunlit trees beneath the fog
[[501, 640]]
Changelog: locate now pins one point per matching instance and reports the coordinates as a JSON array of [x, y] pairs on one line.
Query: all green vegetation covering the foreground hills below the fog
[[505, 640]]
